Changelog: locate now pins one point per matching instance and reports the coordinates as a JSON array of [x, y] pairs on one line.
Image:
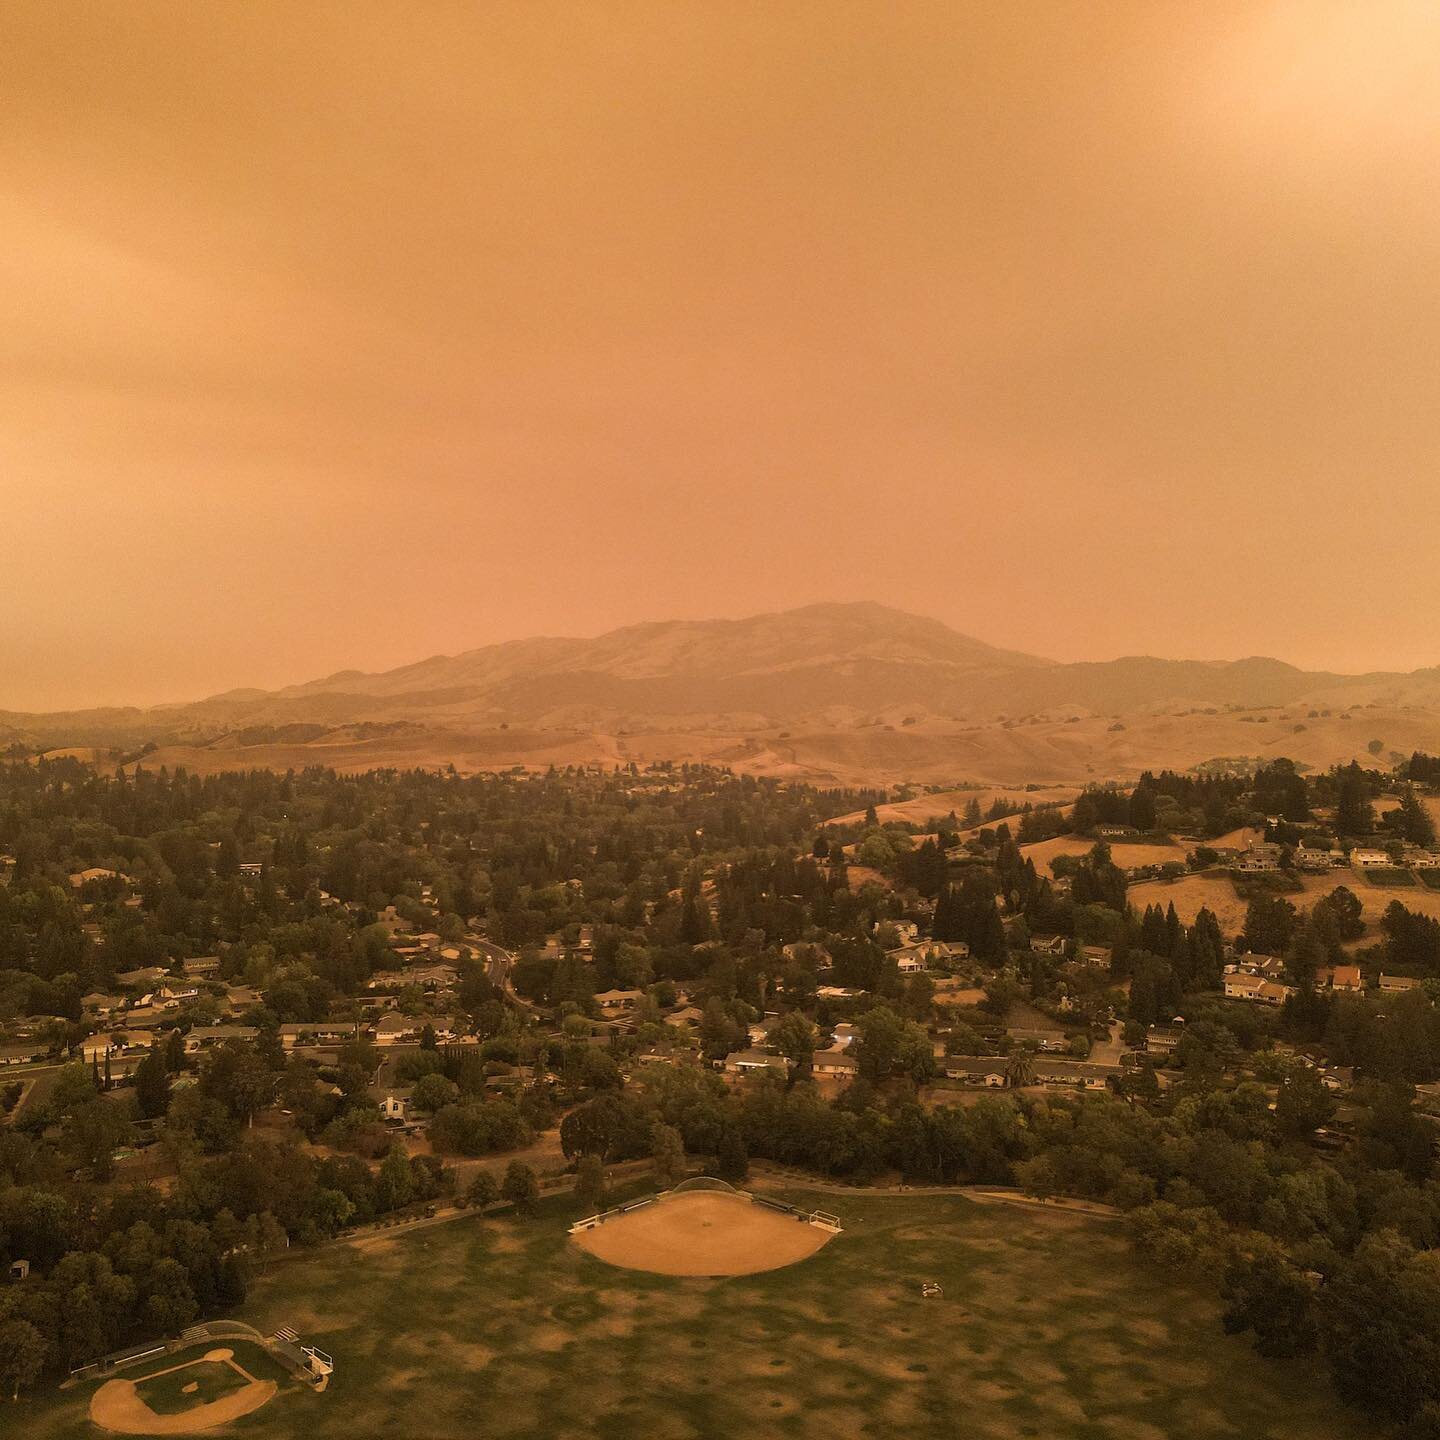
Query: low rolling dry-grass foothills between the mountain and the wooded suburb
[[1058, 755]]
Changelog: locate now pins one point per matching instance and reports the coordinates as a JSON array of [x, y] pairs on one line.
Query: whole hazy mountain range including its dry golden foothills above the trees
[[842, 692]]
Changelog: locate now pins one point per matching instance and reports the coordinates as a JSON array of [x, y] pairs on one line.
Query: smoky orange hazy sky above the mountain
[[342, 335]]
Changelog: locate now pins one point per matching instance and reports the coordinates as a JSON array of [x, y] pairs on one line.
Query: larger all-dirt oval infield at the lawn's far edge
[[703, 1233]]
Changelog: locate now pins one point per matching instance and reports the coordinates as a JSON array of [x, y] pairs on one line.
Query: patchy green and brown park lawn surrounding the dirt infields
[[1048, 1327]]
